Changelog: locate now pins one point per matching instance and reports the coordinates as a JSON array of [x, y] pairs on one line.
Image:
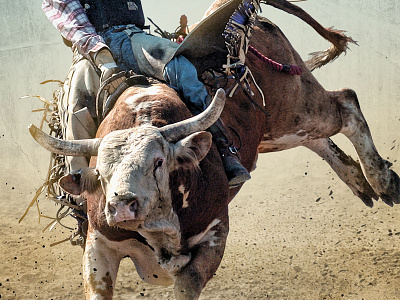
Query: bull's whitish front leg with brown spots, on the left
[[100, 267]]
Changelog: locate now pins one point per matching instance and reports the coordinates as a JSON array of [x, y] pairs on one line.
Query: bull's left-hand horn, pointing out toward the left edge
[[65, 147]]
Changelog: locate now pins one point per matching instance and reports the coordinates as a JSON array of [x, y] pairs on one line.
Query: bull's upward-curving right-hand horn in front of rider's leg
[[175, 132]]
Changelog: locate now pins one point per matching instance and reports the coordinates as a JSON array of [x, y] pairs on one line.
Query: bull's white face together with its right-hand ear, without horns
[[134, 167]]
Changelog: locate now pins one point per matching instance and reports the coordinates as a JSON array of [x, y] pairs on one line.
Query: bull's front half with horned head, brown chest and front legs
[[151, 195]]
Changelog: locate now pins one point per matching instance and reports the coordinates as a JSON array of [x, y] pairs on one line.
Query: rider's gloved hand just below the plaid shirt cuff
[[106, 63]]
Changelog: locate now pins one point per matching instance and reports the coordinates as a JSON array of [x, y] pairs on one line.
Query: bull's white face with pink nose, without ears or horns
[[134, 171]]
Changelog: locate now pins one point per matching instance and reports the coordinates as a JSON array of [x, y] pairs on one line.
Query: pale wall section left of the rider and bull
[[30, 52]]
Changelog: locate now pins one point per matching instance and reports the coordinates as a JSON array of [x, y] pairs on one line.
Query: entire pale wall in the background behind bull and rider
[[31, 51]]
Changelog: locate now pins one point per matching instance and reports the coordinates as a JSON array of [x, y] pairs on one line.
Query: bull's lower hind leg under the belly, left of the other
[[345, 167]]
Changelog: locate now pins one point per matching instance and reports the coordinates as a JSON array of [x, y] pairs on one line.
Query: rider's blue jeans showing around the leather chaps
[[179, 73]]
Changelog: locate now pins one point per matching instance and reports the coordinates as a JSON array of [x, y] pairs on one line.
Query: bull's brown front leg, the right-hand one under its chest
[[206, 256]]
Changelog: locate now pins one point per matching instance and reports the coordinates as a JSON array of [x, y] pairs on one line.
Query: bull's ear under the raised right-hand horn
[[192, 149]]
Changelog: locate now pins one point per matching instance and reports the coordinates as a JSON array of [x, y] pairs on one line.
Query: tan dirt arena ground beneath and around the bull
[[296, 232]]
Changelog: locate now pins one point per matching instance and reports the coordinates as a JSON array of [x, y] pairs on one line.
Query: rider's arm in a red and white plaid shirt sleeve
[[69, 17]]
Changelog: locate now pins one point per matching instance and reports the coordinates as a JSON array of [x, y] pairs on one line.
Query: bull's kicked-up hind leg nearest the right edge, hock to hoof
[[385, 182]]
